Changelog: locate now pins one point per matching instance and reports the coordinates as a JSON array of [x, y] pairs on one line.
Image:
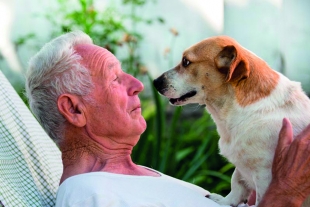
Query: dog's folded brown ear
[[232, 64]]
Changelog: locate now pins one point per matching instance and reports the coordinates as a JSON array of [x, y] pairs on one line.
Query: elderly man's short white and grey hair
[[55, 70]]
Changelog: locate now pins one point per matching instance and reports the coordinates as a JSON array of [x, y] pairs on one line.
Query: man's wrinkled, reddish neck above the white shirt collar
[[80, 156]]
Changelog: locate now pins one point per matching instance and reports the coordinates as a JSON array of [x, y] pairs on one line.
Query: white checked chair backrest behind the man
[[30, 162]]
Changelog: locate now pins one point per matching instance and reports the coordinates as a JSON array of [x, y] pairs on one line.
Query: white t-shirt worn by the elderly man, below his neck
[[102, 189]]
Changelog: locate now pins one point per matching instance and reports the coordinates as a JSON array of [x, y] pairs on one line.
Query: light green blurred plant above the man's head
[[110, 28]]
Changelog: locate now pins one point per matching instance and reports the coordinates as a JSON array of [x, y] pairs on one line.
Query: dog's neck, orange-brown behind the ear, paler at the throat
[[260, 83]]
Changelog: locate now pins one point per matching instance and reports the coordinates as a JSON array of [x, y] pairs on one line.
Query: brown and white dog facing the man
[[246, 99]]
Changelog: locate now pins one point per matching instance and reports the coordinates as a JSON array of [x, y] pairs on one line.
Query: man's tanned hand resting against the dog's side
[[290, 184]]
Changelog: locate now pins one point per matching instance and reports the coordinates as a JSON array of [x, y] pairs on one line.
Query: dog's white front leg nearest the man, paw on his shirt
[[239, 192]]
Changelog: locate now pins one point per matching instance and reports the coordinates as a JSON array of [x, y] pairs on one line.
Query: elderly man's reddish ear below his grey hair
[[72, 108]]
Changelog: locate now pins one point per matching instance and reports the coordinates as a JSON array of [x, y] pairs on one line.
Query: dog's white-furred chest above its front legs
[[248, 140]]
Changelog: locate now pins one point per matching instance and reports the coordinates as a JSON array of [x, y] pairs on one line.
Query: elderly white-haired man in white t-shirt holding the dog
[[92, 111]]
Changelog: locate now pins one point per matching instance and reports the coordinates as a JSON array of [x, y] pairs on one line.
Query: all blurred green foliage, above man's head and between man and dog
[[174, 143]]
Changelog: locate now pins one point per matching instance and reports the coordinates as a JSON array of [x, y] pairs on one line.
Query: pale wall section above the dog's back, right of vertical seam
[[278, 31]]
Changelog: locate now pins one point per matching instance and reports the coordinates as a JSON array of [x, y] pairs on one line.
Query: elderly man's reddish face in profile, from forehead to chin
[[115, 111]]
